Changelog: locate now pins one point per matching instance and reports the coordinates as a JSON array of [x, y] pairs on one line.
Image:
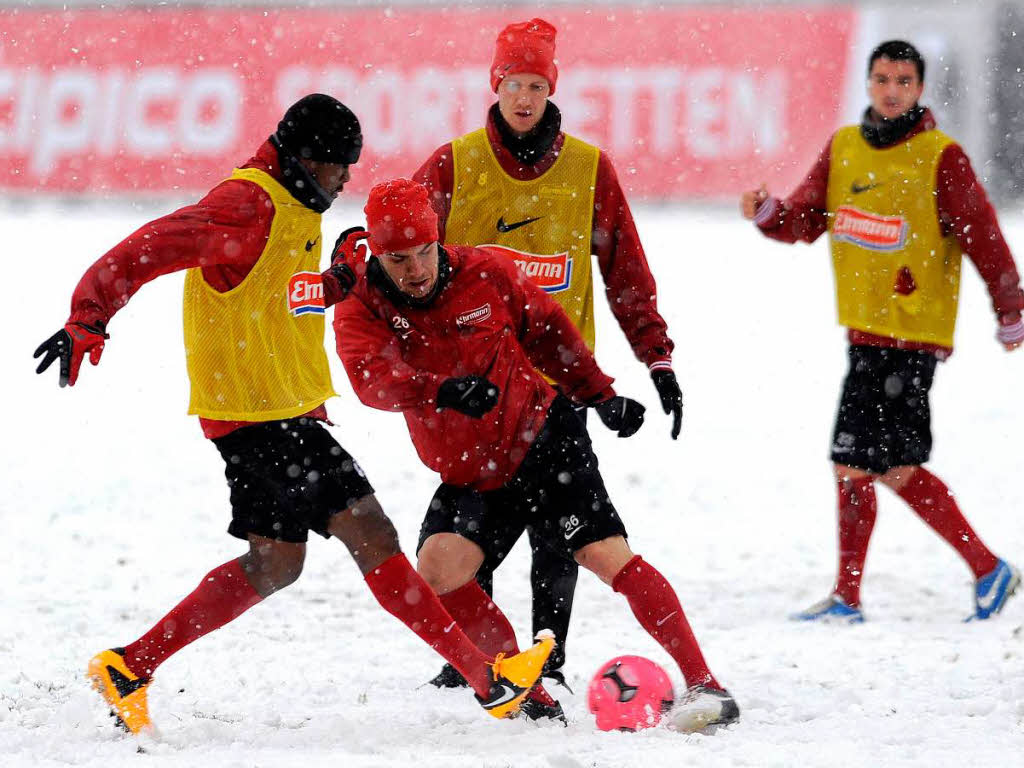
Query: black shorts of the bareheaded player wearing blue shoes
[[884, 418]]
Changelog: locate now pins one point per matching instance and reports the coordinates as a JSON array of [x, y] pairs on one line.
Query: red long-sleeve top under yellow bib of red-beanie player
[[629, 284]]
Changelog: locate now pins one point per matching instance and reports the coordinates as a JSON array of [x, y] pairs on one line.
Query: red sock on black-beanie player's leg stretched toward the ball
[[404, 594]]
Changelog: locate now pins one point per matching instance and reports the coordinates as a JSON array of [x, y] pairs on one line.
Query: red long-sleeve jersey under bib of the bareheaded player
[[964, 211]]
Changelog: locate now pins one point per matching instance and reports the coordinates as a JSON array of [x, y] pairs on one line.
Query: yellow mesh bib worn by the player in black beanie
[[257, 353]]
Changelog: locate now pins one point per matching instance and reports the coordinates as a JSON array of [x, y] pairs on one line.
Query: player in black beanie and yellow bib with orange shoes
[[254, 346]]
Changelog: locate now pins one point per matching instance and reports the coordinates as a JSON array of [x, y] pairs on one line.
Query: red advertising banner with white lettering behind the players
[[690, 102]]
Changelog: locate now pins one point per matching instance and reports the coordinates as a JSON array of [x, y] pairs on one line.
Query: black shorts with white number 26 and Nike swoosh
[[558, 491]]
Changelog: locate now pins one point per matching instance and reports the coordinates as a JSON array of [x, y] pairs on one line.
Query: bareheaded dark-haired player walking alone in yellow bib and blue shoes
[[901, 203]]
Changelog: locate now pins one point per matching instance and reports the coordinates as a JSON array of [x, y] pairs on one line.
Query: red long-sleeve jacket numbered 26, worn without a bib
[[490, 321]]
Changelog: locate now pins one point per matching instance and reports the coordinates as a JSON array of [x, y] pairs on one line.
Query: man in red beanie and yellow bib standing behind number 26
[[513, 193]]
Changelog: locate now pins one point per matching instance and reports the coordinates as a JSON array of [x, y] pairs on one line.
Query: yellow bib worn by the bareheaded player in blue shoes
[[897, 275]]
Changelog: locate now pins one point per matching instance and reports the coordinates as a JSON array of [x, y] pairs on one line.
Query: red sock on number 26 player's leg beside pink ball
[[657, 608]]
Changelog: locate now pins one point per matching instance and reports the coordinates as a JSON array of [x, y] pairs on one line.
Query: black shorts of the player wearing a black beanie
[[288, 478]]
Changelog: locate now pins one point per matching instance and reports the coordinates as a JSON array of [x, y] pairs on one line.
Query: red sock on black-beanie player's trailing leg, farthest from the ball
[[222, 598]]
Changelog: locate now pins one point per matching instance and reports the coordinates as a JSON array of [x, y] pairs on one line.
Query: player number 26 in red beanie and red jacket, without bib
[[457, 339]]
